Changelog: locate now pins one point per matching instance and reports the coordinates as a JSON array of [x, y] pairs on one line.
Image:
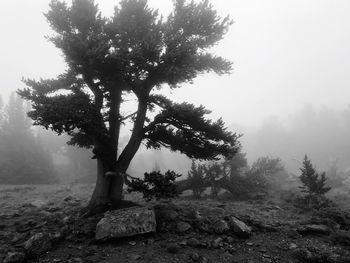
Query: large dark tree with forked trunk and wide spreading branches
[[134, 52]]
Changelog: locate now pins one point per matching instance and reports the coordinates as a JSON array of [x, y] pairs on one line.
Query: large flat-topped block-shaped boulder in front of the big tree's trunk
[[126, 222]]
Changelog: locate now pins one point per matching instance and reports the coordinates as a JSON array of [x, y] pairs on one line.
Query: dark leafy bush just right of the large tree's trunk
[[155, 185]]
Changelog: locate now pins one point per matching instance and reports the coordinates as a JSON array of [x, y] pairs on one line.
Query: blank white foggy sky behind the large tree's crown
[[285, 53]]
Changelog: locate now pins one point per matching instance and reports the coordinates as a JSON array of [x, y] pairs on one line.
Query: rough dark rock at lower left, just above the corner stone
[[38, 244]]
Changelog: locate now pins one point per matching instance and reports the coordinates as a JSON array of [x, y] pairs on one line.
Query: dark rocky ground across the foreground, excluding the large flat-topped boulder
[[39, 224]]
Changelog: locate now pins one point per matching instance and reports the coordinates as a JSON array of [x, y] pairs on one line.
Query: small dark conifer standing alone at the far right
[[313, 184]]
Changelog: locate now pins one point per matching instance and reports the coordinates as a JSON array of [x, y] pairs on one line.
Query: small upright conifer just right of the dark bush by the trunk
[[196, 179]]
